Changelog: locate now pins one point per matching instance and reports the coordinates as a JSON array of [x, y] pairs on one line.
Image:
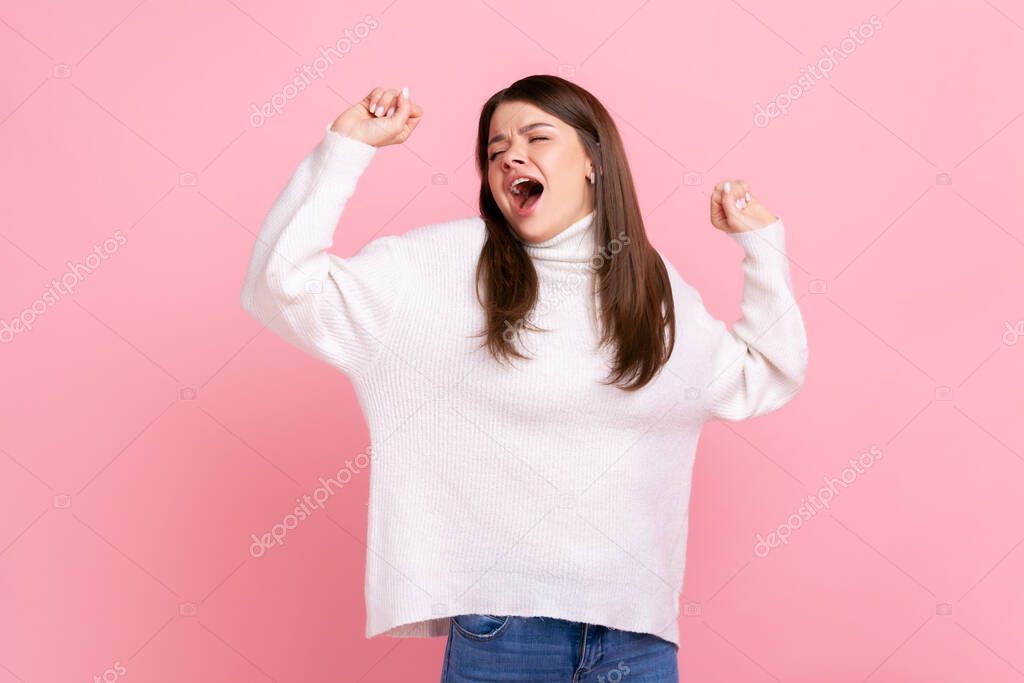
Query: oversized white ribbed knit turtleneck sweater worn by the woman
[[527, 491]]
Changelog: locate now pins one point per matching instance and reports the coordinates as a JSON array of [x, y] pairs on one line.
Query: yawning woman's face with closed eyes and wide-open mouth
[[526, 141]]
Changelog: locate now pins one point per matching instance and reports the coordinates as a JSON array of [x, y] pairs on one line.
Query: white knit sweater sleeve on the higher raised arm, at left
[[337, 310]]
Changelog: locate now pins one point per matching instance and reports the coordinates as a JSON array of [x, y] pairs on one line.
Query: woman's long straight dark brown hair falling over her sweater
[[636, 309]]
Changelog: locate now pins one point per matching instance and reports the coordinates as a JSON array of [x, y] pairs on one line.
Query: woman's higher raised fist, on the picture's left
[[363, 122]]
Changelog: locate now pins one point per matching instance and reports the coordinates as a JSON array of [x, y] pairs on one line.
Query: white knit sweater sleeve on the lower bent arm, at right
[[760, 365]]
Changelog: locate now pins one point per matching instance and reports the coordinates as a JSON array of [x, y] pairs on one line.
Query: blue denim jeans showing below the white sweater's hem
[[541, 650]]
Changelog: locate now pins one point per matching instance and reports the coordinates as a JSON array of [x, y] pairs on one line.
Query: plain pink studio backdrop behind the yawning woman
[[150, 428]]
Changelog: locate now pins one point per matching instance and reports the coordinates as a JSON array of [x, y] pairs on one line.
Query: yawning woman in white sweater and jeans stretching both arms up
[[535, 380]]
